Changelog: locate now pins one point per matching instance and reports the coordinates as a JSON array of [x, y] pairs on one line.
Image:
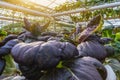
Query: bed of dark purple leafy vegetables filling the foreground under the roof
[[41, 55]]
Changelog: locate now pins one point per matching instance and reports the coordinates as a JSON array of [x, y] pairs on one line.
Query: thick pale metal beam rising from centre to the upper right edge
[[84, 9]]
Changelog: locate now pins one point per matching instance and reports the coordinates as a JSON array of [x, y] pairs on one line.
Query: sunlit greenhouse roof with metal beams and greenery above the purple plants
[[57, 9]]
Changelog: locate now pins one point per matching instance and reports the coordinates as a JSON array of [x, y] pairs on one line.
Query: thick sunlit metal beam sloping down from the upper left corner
[[22, 9]]
